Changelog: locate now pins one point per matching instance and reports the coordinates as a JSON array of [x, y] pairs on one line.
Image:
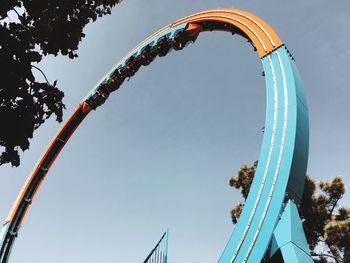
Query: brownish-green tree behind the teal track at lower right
[[327, 227]]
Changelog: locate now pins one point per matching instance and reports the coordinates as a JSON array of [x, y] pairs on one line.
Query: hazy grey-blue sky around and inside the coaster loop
[[159, 153]]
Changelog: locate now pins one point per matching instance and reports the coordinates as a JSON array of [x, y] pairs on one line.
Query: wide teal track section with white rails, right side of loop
[[282, 162]]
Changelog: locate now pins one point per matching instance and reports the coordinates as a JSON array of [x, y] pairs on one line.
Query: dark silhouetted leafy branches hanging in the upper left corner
[[35, 29]]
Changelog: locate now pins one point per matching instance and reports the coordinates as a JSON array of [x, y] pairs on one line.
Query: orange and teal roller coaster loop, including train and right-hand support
[[278, 184]]
